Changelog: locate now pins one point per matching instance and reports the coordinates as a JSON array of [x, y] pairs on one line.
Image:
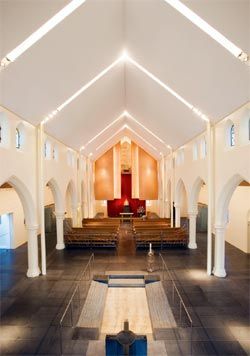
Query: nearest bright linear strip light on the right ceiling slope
[[208, 29]]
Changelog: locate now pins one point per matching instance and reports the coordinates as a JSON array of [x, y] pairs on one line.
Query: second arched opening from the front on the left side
[[53, 214]]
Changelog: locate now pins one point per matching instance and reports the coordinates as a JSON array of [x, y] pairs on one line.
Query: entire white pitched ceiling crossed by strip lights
[[156, 36]]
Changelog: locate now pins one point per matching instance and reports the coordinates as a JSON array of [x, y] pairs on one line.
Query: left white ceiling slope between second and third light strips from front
[[90, 112]]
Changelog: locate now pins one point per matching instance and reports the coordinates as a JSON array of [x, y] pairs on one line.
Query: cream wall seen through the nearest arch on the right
[[238, 214]]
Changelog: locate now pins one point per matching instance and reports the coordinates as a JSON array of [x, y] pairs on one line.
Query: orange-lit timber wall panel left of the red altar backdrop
[[104, 176]]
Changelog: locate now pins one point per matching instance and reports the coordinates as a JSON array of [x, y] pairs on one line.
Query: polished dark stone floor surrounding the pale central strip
[[31, 308]]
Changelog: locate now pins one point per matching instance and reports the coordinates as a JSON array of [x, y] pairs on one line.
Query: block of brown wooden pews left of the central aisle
[[93, 233]]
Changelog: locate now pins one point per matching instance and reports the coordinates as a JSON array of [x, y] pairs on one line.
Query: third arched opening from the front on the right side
[[180, 204]]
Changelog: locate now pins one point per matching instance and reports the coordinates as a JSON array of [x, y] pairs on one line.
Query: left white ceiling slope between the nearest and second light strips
[[70, 55]]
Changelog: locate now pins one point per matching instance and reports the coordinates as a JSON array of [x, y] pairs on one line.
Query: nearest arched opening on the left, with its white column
[[18, 220]]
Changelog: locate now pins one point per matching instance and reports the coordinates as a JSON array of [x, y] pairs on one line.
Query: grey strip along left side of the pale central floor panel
[[92, 312]]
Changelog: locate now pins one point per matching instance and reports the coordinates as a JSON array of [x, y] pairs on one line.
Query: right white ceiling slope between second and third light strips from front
[[158, 110]]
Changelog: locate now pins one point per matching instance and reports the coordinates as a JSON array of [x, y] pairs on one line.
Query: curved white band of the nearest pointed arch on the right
[[225, 197]]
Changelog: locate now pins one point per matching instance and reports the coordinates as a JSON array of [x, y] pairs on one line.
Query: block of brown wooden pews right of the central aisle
[[158, 232]]
